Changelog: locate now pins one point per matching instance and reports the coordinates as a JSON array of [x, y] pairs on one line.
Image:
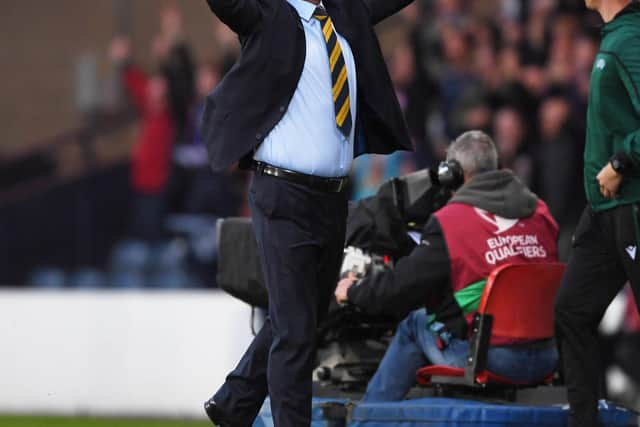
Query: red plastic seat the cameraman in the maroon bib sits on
[[516, 305]]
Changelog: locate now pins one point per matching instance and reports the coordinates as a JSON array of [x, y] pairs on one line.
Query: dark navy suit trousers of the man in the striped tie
[[300, 234]]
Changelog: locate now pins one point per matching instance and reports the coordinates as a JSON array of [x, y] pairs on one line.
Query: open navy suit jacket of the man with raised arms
[[254, 95]]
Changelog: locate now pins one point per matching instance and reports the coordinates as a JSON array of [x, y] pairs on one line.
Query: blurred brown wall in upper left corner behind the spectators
[[41, 43]]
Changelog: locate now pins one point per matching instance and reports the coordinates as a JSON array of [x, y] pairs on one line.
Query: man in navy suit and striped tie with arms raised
[[309, 92]]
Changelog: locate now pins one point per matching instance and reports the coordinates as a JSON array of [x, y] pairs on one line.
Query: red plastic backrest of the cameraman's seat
[[520, 298]]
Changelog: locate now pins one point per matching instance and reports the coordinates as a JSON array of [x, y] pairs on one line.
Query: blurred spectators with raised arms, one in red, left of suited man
[[169, 168]]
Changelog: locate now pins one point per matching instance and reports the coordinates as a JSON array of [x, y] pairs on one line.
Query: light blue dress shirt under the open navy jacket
[[307, 138]]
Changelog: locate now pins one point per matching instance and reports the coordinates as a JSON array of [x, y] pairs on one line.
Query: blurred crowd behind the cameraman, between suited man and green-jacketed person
[[516, 69]]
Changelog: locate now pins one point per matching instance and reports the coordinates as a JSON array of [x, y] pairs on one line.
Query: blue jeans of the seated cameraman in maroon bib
[[415, 346]]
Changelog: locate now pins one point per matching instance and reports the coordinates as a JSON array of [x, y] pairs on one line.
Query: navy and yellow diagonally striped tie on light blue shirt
[[338, 72]]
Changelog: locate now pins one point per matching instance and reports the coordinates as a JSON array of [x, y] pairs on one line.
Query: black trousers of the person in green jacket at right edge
[[605, 256]]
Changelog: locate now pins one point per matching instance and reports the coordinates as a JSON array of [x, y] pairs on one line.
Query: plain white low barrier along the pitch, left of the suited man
[[117, 353]]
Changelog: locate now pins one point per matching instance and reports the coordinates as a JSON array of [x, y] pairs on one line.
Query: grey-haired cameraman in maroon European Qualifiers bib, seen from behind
[[492, 219]]
